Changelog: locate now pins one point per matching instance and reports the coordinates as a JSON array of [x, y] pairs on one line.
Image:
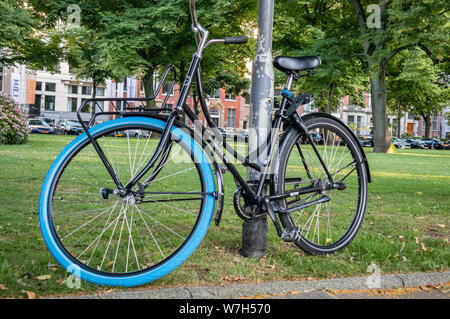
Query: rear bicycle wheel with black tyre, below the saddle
[[328, 226]]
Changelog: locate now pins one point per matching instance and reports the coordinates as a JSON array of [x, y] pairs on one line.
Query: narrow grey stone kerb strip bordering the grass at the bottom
[[278, 288]]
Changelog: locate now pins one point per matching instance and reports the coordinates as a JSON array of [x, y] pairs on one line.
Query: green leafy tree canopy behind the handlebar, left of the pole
[[142, 37]]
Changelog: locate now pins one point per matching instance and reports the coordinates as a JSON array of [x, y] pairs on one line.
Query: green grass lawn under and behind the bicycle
[[406, 228]]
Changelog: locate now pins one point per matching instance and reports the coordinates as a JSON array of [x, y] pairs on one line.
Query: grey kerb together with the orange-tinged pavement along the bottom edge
[[417, 285]]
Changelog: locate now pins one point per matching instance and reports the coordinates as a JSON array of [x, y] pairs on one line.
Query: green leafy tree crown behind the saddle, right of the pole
[[321, 29]]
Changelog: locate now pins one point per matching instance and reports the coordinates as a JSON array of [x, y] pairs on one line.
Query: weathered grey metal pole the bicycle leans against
[[254, 234]]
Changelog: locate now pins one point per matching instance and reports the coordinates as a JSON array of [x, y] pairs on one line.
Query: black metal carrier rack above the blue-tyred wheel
[[130, 103]]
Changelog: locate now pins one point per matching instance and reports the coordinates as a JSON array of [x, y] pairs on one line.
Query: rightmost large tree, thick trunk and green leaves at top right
[[393, 27]]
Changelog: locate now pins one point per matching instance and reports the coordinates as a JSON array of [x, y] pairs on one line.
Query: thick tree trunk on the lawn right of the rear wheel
[[380, 122]]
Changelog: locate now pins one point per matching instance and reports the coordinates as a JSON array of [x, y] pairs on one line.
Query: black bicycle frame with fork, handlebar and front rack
[[253, 195]]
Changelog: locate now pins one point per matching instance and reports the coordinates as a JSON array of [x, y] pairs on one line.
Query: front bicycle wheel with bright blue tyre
[[132, 239]]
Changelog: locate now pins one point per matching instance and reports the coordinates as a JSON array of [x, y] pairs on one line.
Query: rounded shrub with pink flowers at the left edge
[[13, 123]]
